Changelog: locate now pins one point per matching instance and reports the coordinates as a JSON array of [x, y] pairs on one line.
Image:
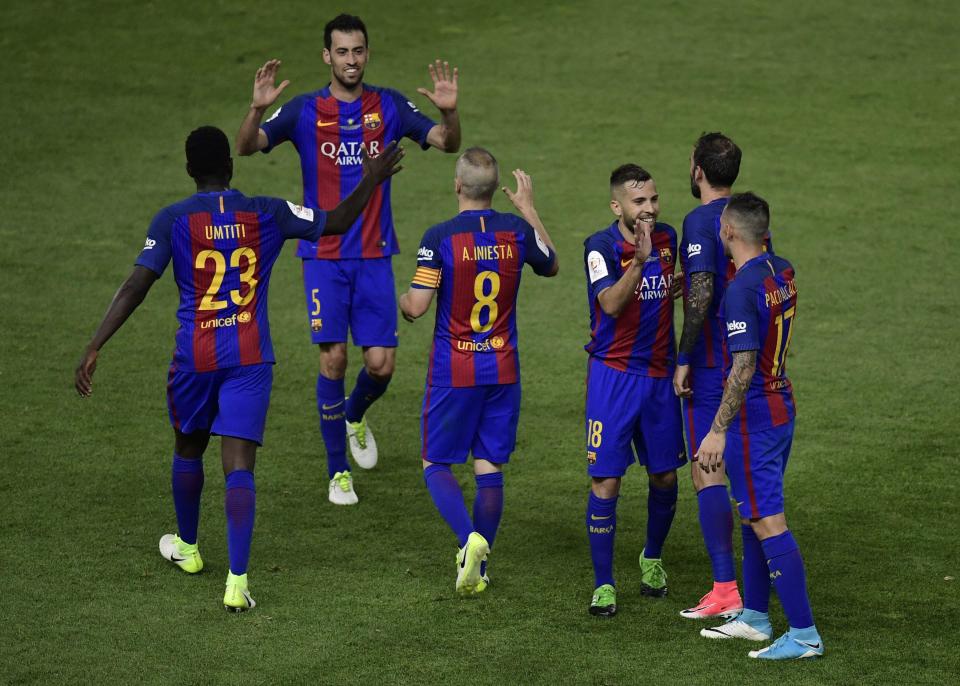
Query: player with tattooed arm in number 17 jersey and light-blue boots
[[752, 433]]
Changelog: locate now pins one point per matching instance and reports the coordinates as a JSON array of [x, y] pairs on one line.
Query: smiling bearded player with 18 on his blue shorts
[[630, 271]]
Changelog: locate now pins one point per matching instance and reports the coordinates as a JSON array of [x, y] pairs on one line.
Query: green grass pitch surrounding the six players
[[847, 115]]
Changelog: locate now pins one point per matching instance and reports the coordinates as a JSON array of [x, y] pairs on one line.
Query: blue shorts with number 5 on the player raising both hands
[[355, 293]]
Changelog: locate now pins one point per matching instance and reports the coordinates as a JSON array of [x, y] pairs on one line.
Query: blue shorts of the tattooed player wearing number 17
[[755, 465]]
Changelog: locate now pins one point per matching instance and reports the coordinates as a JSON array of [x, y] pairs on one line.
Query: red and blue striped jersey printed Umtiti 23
[[223, 247]]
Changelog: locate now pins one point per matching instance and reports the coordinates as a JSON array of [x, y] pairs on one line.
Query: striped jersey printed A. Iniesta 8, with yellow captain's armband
[[475, 261]]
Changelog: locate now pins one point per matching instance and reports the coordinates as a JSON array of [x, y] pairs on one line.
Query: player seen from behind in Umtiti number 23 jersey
[[223, 246]]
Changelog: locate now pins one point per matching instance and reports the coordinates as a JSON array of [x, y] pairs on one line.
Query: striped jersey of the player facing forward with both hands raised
[[330, 137]]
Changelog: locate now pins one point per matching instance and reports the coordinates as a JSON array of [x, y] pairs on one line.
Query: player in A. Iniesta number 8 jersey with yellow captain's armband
[[473, 264]]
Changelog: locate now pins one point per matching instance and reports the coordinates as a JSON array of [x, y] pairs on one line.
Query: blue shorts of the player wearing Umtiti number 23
[[226, 402]]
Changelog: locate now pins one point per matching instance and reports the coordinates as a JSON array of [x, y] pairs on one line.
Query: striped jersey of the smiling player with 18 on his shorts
[[641, 340]]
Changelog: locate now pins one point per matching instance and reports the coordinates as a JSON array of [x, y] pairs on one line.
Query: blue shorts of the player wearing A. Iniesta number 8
[[481, 420]]
